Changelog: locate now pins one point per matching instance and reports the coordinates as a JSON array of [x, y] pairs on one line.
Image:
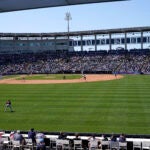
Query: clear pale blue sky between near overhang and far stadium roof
[[132, 13]]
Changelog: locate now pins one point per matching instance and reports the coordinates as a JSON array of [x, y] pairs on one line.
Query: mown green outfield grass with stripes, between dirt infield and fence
[[105, 107]]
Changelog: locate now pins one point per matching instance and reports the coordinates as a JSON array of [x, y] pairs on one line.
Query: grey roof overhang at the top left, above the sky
[[15, 5]]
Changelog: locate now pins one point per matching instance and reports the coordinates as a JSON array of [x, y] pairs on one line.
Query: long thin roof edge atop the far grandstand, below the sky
[[79, 33]]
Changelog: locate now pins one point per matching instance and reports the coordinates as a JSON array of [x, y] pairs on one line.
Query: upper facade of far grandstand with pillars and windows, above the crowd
[[124, 38]]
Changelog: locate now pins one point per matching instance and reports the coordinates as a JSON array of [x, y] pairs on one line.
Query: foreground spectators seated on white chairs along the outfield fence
[[39, 140]]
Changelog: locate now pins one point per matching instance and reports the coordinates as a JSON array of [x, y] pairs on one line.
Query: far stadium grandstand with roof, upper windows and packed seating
[[55, 53]]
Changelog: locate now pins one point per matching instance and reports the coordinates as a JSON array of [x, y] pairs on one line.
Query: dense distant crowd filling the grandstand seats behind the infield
[[72, 62]]
